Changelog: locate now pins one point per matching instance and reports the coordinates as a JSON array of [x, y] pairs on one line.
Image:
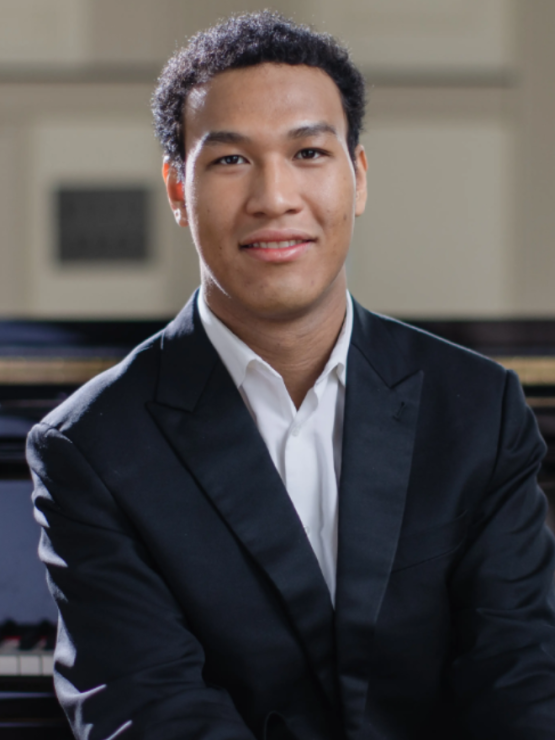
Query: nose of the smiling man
[[274, 189]]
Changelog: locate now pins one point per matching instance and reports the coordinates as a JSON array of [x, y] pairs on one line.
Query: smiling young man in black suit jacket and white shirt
[[284, 516]]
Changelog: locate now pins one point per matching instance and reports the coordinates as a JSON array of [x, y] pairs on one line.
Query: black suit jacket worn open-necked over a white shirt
[[191, 603]]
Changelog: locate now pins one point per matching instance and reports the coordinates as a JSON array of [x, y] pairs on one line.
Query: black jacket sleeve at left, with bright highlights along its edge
[[126, 664]]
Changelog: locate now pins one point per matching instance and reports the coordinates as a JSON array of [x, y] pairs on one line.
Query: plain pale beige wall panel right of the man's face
[[434, 238]]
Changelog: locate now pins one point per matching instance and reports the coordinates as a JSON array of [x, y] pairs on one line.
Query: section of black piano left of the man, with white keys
[[41, 363]]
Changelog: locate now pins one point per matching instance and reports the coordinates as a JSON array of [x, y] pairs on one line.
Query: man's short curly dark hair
[[244, 41]]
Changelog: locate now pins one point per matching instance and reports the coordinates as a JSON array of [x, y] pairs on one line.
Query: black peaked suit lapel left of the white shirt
[[204, 418]]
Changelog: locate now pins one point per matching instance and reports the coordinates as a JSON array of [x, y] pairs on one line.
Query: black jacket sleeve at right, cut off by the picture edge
[[503, 598]]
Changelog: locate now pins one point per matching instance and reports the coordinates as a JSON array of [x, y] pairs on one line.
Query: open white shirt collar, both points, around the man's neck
[[237, 356]]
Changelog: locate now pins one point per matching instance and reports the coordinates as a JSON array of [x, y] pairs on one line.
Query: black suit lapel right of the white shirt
[[381, 408]]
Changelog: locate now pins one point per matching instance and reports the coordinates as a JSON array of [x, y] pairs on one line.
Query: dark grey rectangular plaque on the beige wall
[[103, 224]]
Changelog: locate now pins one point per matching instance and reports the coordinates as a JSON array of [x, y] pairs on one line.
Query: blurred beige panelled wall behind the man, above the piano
[[460, 136]]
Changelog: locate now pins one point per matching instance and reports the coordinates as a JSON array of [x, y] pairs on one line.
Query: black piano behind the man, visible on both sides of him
[[41, 363]]
